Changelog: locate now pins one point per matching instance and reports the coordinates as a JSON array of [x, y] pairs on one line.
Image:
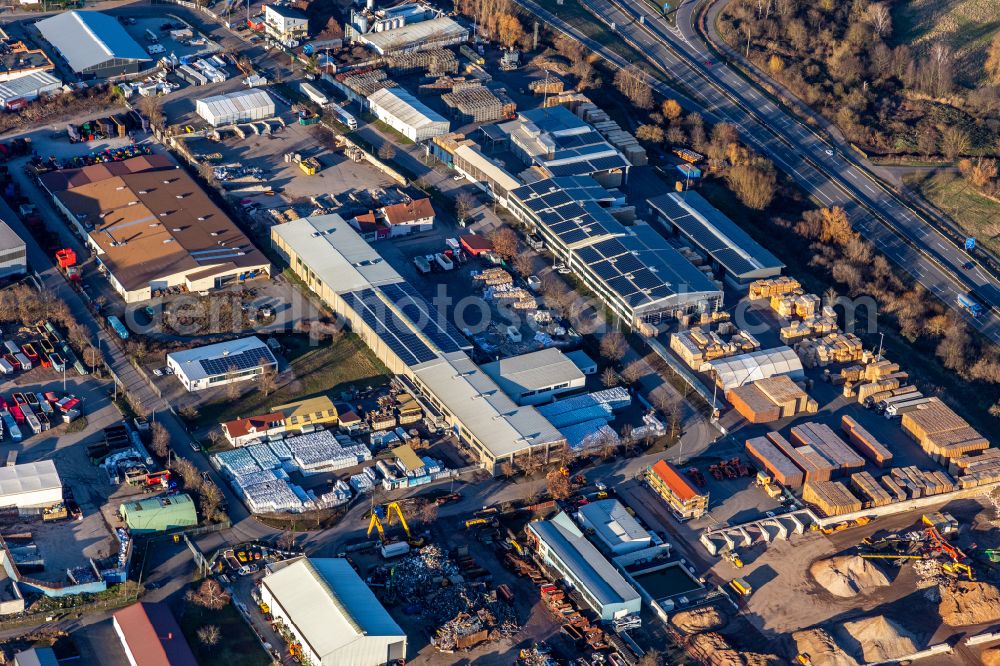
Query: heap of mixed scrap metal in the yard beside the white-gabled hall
[[465, 614]]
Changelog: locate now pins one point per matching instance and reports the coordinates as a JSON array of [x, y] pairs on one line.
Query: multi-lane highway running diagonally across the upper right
[[722, 94]]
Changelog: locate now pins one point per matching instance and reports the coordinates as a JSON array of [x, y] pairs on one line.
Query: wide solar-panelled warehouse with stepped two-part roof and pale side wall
[[633, 269]]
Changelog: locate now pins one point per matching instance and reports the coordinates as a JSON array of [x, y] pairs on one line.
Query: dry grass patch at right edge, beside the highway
[[977, 215]]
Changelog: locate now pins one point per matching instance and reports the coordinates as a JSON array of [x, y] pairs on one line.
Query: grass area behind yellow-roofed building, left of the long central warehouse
[[326, 368]]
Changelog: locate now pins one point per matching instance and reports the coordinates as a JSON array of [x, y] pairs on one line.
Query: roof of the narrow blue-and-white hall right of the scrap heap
[[593, 570]]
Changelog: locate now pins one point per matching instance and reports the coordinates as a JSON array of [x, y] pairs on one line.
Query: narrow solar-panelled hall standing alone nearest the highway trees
[[740, 258]]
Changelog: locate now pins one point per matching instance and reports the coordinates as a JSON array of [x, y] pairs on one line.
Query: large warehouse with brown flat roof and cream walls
[[153, 228]]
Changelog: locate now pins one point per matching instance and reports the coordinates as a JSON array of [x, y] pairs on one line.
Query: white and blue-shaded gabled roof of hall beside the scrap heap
[[329, 604]]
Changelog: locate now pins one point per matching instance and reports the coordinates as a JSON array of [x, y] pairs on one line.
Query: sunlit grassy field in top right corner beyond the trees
[[966, 25]]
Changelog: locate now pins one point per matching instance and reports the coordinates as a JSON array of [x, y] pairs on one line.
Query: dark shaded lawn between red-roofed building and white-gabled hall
[[238, 644]]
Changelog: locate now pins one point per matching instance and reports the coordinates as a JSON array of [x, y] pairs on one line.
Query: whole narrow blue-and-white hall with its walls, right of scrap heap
[[564, 548]]
